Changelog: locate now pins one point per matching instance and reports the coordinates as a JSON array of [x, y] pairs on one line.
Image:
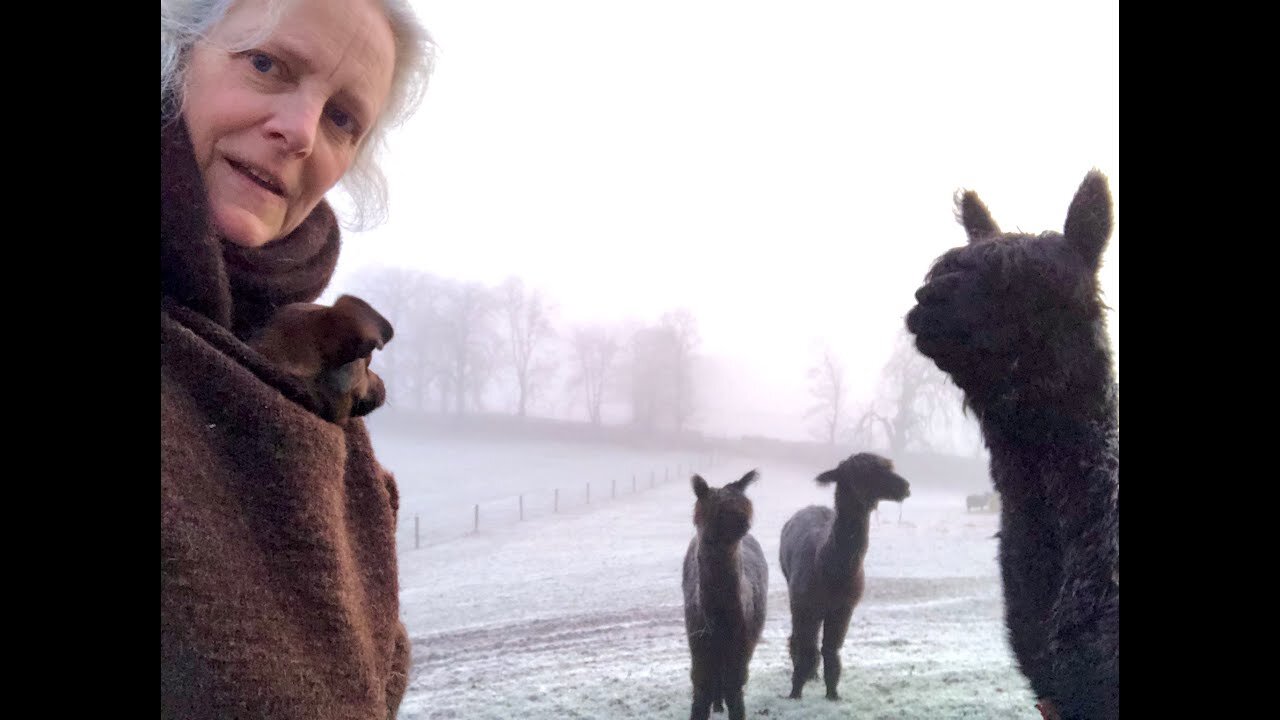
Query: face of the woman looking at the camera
[[276, 127]]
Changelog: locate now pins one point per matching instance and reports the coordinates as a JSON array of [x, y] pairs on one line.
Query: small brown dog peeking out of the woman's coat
[[330, 349]]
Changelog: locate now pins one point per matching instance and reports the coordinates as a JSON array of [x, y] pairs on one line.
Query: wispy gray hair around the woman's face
[[185, 22]]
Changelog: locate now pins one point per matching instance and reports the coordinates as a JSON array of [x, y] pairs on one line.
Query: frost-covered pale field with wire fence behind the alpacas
[[579, 614]]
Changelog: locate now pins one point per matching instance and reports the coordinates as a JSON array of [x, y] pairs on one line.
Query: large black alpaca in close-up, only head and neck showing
[[1017, 322]]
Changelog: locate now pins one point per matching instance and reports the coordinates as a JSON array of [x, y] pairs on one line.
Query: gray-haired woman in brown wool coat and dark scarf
[[278, 580]]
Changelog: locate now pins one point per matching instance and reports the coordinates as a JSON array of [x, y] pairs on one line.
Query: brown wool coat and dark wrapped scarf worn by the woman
[[278, 580]]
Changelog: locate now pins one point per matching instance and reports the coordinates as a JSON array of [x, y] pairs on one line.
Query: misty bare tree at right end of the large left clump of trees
[[528, 329]]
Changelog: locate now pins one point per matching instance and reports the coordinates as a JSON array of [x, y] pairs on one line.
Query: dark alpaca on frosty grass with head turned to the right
[[822, 557]]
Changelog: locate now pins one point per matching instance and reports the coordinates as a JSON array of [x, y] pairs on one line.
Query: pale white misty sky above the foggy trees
[[784, 170]]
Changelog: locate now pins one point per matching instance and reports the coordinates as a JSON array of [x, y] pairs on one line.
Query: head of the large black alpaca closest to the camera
[[1016, 311]]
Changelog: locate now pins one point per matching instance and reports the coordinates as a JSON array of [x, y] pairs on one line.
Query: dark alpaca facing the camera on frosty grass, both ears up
[[726, 586]]
